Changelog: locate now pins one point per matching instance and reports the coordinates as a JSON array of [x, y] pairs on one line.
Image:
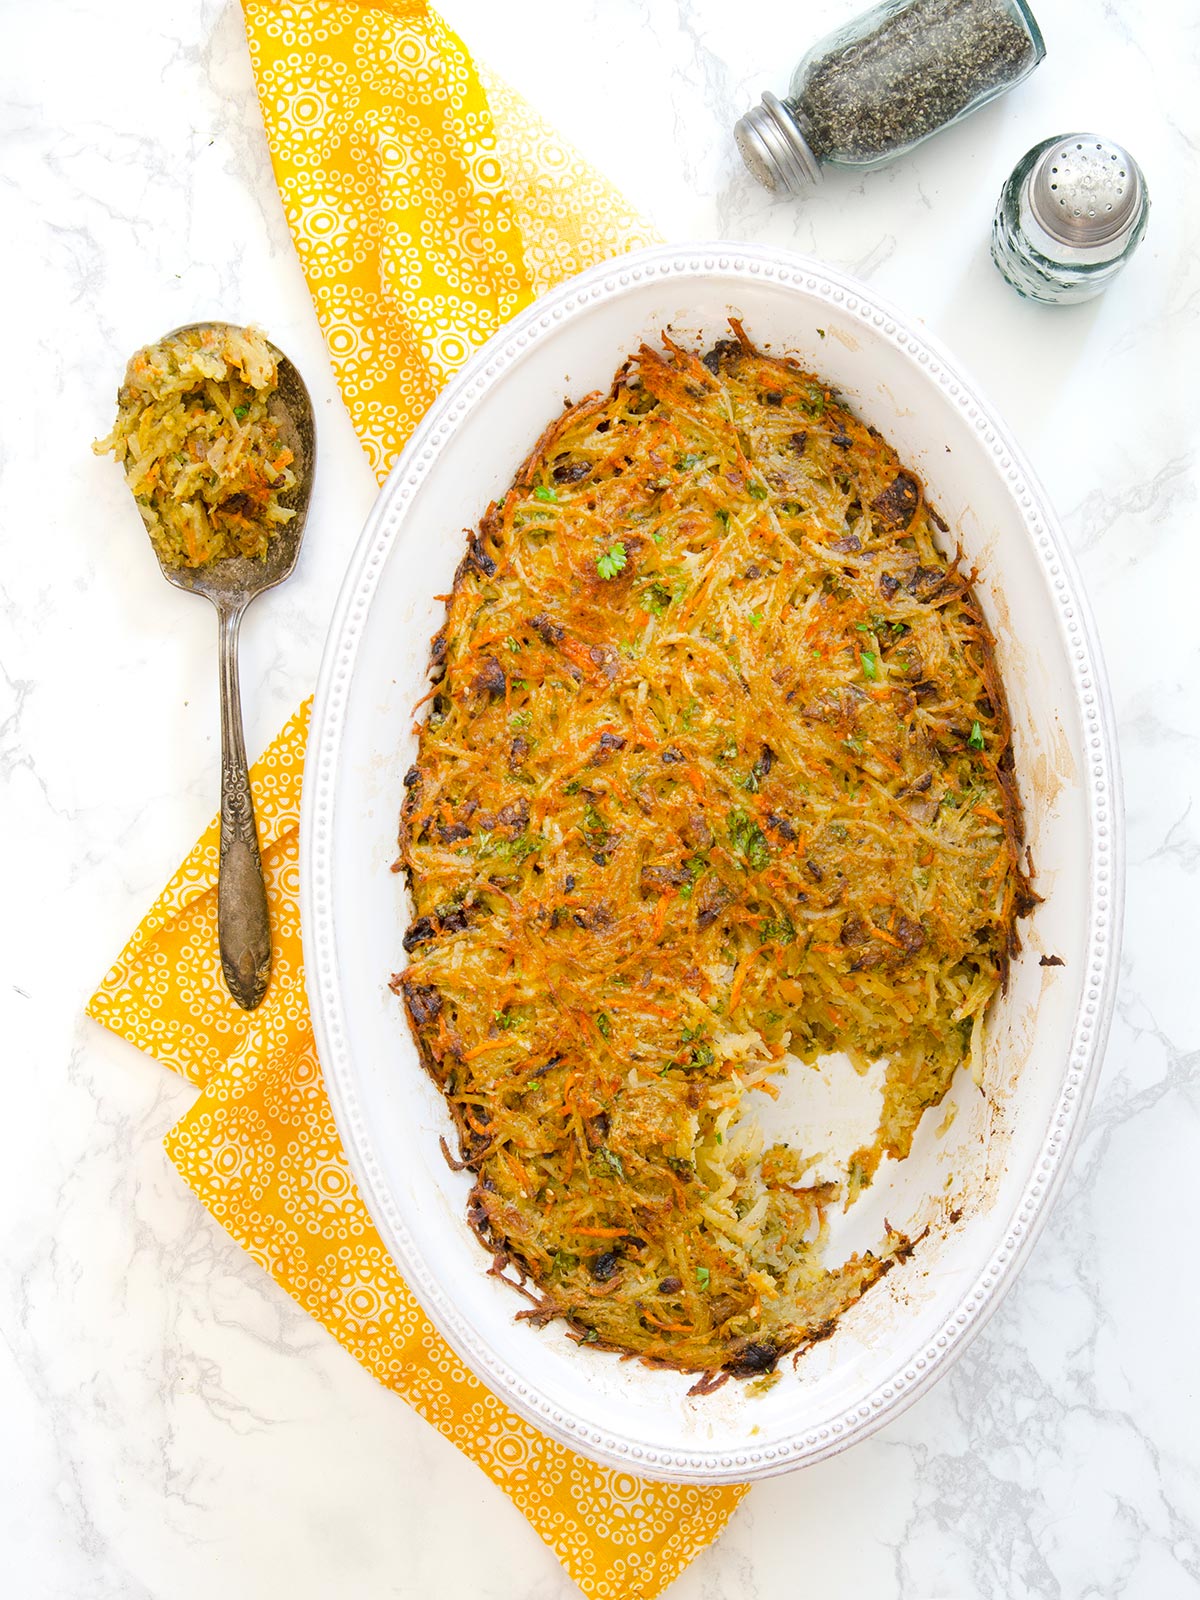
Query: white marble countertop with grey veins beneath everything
[[174, 1426]]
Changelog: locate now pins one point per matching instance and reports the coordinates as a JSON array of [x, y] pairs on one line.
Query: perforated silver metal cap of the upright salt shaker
[[1087, 193]]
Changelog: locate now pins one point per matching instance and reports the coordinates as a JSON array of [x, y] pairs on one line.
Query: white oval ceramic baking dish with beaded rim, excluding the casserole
[[982, 1186]]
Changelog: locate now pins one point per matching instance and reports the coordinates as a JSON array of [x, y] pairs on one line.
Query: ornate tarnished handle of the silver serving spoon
[[244, 926]]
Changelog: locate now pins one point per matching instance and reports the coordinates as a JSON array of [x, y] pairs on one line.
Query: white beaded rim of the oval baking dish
[[1106, 866]]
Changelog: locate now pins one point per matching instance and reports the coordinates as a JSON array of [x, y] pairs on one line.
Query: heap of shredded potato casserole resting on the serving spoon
[[201, 450]]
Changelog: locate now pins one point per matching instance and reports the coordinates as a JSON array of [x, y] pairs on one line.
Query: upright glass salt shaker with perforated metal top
[[1071, 215]]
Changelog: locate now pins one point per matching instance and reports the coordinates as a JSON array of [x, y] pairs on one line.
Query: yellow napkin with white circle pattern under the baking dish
[[428, 207]]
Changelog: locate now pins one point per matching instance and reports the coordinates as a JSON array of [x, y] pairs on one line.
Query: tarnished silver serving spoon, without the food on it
[[244, 926]]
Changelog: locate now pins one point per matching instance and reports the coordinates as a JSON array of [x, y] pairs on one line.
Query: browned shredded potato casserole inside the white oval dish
[[718, 770]]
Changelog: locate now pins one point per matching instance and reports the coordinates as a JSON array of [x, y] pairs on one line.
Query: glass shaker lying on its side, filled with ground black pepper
[[887, 81]]
